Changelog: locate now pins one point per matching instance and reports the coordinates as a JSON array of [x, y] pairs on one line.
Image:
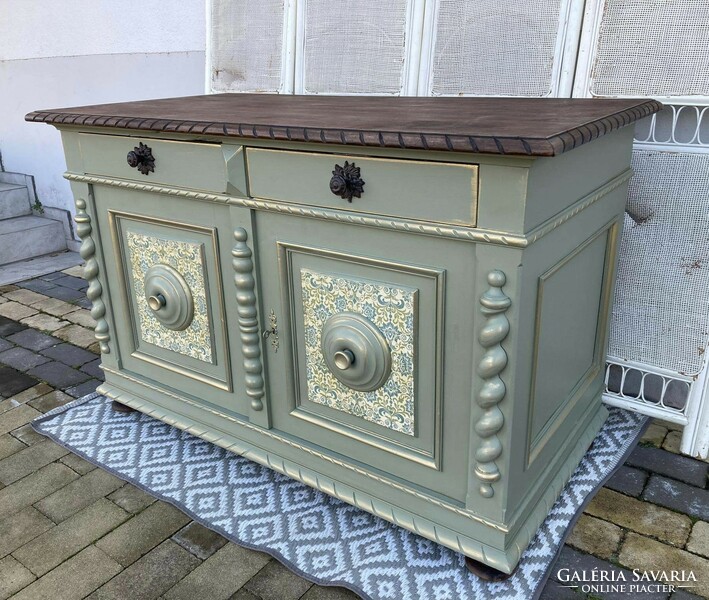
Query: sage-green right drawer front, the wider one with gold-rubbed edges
[[419, 190]]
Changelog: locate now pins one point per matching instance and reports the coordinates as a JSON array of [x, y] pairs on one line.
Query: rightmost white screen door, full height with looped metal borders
[[660, 324]]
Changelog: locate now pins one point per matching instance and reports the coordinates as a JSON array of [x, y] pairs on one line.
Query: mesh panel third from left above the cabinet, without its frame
[[505, 47]]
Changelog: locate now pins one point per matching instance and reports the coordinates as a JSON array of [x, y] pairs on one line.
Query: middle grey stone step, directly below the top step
[[26, 237]]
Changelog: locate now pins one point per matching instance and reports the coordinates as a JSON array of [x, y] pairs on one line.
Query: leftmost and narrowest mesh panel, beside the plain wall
[[247, 45]]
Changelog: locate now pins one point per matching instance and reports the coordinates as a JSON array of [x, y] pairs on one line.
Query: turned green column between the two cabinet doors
[[248, 318]]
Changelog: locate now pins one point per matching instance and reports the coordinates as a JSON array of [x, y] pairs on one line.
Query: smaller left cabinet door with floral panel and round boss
[[163, 265]]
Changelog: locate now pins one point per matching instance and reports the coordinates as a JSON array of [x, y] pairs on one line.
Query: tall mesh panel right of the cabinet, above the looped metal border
[[661, 311]]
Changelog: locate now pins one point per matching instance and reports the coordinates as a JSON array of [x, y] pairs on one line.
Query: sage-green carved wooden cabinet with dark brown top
[[401, 302]]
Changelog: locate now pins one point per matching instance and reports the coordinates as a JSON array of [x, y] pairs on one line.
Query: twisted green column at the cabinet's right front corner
[[494, 303]]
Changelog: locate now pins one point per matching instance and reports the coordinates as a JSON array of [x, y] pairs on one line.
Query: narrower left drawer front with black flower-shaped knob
[[209, 167]]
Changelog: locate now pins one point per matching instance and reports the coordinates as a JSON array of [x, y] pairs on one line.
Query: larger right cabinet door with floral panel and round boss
[[363, 317]]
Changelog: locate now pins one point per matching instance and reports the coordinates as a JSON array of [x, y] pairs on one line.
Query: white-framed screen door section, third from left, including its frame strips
[[499, 47]]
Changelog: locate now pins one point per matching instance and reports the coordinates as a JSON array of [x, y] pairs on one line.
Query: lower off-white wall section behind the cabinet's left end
[[34, 84]]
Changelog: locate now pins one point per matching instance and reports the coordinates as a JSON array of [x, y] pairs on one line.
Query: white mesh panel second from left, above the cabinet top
[[354, 47]]
